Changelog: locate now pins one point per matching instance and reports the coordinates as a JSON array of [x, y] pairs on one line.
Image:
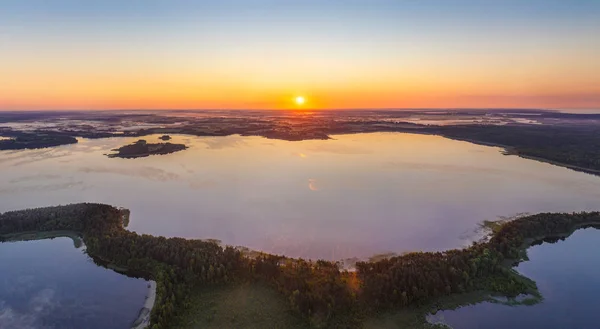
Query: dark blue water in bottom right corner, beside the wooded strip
[[567, 276]]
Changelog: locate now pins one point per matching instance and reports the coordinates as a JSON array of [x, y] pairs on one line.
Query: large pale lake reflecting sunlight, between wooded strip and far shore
[[353, 196]]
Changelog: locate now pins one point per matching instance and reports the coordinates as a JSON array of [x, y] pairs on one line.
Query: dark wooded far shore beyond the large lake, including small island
[[576, 146]]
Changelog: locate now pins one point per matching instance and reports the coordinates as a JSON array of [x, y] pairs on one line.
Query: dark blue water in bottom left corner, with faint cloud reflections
[[50, 284]]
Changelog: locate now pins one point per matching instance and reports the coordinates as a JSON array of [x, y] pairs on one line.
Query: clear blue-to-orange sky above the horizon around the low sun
[[262, 54]]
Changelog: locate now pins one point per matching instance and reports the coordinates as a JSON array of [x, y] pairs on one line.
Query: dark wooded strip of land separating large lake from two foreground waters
[[322, 293]]
